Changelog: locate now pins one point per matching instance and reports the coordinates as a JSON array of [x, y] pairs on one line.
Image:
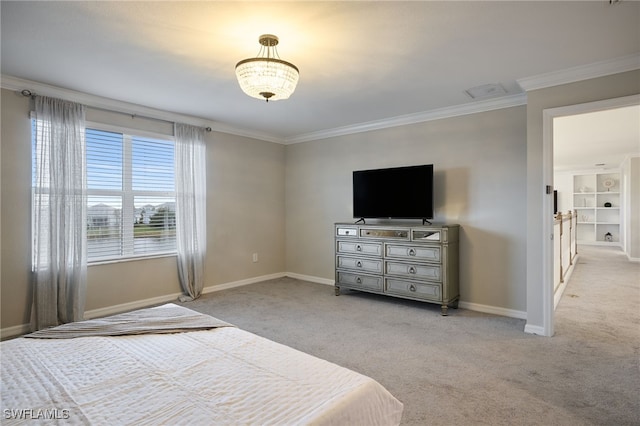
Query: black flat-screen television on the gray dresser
[[396, 193]]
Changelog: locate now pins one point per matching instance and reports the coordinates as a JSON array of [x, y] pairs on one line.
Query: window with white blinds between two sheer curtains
[[130, 195]]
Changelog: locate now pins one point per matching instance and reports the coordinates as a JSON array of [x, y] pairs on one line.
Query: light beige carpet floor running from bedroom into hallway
[[468, 368]]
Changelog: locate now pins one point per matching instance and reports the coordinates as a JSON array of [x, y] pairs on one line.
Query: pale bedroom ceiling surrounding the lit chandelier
[[361, 63]]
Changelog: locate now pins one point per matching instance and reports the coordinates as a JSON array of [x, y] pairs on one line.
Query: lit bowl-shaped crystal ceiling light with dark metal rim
[[267, 76]]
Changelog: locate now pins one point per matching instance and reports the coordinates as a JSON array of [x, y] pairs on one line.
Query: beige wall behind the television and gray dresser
[[480, 183]]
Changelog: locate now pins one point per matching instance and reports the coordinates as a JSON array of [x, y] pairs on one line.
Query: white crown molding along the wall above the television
[[420, 117]]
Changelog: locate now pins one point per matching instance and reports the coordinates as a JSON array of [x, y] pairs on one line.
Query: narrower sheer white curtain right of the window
[[191, 208]]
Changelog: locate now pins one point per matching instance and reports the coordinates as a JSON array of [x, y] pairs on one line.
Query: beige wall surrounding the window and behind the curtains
[[245, 209]]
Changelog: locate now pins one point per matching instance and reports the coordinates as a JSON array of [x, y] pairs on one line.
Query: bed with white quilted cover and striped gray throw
[[172, 365]]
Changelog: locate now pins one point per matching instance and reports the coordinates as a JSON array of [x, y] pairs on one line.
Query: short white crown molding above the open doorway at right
[[584, 72]]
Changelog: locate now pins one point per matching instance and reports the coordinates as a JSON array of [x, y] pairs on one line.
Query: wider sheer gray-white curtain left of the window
[[59, 213]]
